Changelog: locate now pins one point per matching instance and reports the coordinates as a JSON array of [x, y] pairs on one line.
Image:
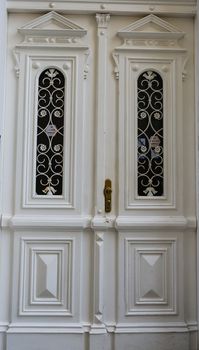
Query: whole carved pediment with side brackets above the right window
[[152, 34]]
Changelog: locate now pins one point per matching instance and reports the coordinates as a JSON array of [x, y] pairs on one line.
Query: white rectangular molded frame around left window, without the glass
[[30, 198]]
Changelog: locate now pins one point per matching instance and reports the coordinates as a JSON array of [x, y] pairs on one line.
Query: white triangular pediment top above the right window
[[153, 26]]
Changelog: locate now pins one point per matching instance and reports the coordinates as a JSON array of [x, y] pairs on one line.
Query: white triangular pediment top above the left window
[[52, 23]]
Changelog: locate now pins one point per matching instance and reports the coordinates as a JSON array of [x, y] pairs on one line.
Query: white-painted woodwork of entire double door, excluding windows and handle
[[82, 279]]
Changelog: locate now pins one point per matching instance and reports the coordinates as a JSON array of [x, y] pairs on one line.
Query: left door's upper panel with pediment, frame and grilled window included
[[52, 69]]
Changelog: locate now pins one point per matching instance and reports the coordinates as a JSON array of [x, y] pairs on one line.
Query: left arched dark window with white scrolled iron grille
[[50, 133]]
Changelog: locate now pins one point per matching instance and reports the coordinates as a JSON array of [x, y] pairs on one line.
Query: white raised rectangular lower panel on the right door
[[150, 284]]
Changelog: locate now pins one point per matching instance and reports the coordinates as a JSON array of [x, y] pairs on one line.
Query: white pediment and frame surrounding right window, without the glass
[[148, 36]]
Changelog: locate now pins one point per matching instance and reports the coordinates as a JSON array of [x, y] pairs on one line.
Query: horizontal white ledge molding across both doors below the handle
[[126, 223]]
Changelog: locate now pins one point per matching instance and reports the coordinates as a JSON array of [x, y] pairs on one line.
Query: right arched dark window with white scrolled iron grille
[[150, 161]]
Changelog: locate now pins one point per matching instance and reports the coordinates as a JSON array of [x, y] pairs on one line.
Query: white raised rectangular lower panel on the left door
[[46, 286]]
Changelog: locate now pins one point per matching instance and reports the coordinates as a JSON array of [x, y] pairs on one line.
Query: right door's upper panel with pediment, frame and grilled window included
[[149, 92]]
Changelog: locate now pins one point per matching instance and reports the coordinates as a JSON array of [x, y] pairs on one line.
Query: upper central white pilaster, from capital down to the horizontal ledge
[[101, 109]]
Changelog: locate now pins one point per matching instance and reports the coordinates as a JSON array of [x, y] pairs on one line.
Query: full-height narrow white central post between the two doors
[[99, 221]]
